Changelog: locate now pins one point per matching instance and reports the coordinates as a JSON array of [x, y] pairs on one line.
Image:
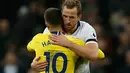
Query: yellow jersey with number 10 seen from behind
[[60, 59]]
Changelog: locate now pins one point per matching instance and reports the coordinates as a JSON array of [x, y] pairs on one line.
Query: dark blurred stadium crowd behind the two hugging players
[[20, 20]]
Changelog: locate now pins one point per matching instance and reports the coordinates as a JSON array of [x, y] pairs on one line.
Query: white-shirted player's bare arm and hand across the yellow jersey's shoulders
[[90, 50]]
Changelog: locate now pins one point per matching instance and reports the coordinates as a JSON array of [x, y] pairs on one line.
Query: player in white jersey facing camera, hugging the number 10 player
[[71, 11]]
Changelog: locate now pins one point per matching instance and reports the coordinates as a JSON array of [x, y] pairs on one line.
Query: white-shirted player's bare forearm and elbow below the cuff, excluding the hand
[[90, 50]]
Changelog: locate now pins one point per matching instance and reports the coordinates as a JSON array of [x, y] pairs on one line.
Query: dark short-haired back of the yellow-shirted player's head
[[53, 16]]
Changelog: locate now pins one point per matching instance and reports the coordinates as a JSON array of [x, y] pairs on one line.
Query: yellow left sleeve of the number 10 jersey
[[32, 44]]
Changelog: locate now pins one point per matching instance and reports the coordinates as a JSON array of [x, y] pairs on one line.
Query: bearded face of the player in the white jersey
[[70, 18]]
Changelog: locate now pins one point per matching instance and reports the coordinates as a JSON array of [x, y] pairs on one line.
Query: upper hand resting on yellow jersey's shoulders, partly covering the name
[[59, 40]]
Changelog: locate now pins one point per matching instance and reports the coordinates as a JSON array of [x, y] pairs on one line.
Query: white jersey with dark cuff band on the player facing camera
[[86, 33]]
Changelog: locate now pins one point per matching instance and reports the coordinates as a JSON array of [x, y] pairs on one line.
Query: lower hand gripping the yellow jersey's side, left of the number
[[38, 66]]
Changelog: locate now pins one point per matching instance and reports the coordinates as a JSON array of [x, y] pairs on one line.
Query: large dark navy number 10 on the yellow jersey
[[59, 54]]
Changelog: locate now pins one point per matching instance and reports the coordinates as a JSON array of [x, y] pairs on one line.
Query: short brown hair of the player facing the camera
[[73, 3]]
